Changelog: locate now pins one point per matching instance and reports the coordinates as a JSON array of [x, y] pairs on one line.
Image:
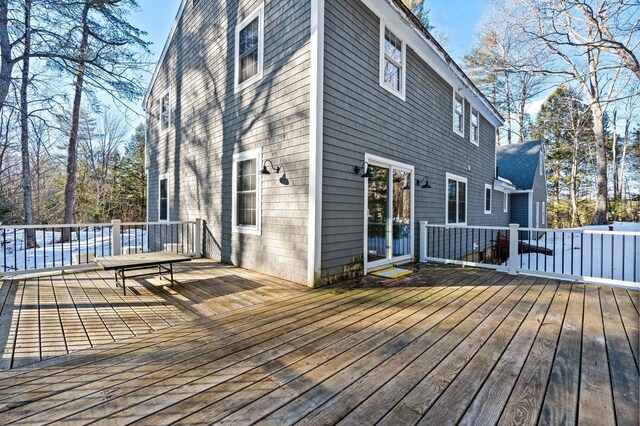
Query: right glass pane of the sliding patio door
[[401, 213]]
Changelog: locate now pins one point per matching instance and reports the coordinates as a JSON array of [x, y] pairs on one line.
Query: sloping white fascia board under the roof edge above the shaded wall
[[405, 30]]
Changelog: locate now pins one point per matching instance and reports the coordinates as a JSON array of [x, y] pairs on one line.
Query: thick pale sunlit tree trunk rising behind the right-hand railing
[[602, 191]]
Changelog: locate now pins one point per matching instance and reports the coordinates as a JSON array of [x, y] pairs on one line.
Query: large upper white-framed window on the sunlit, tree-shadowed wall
[[249, 49]]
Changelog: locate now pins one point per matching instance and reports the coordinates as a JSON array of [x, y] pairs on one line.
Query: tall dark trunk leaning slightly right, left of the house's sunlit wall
[[72, 165]]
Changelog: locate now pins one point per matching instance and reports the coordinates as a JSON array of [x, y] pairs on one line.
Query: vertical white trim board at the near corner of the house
[[316, 100]]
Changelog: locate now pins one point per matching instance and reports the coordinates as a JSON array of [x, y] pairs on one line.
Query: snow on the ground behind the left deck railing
[[51, 253]]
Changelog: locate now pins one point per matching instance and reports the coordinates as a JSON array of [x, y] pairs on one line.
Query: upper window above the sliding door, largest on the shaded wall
[[392, 62]]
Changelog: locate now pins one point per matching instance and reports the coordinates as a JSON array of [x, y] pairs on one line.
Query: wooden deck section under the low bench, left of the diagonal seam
[[49, 316]]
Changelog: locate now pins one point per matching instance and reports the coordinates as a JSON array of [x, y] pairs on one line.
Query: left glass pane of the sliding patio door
[[378, 216]]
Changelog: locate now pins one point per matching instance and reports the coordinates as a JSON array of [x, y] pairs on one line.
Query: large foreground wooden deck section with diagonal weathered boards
[[443, 346]]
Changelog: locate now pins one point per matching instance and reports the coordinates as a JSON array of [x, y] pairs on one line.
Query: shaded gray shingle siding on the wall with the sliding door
[[361, 117]]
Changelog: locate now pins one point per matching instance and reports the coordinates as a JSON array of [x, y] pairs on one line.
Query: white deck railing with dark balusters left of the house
[[39, 248]]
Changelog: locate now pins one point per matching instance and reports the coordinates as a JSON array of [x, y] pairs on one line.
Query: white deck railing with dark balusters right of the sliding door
[[592, 256]]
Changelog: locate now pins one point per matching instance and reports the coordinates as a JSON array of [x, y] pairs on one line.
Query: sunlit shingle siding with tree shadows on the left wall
[[210, 122]]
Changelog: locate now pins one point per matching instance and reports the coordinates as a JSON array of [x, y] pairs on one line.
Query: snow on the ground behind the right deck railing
[[596, 255]]
